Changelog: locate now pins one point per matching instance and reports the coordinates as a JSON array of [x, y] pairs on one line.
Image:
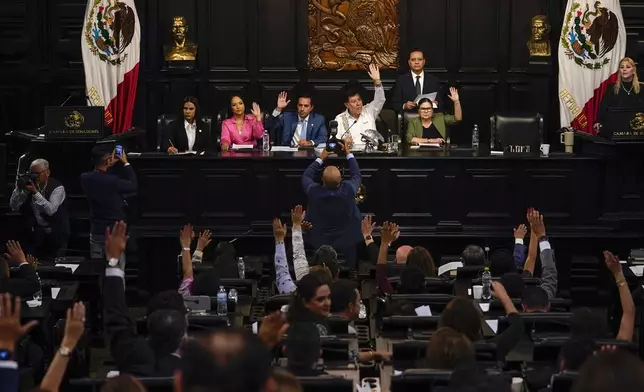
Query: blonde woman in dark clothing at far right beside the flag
[[624, 93]]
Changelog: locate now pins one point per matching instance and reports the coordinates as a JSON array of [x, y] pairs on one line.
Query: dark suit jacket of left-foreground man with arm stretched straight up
[[132, 354]]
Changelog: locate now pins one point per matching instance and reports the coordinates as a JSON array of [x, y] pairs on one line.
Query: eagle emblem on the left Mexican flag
[[109, 30]]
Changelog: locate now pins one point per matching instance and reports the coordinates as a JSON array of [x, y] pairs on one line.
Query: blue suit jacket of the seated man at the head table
[[283, 127]]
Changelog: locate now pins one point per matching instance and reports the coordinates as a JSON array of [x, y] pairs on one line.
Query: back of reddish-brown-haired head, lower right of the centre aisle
[[448, 349]]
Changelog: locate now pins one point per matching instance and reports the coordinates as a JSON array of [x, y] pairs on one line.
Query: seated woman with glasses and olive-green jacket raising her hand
[[431, 127]]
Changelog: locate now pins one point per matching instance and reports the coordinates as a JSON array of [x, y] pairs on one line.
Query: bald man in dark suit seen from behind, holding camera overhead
[[332, 207]]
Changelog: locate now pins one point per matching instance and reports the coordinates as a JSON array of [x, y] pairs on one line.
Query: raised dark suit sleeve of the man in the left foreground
[[119, 327]]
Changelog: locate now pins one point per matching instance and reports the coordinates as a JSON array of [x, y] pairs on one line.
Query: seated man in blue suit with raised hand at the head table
[[300, 129]]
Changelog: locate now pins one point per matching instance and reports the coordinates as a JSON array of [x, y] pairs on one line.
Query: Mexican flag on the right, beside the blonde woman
[[593, 41]]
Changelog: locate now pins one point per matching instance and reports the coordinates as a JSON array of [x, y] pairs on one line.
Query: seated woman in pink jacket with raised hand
[[241, 128]]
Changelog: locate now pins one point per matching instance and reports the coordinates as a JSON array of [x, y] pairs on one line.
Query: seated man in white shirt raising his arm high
[[357, 119]]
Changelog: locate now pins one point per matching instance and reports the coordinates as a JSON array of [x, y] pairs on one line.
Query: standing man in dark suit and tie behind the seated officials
[[414, 83]]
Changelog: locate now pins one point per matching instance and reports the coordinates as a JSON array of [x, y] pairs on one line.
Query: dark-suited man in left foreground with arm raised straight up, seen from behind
[[156, 356]]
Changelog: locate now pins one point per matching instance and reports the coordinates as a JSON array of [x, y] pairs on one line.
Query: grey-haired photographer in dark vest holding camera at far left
[[41, 199]]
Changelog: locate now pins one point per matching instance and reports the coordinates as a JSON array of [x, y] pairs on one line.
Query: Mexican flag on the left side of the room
[[111, 47]]
